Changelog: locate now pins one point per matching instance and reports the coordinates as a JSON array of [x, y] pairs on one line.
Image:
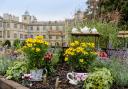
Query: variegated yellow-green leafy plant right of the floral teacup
[[99, 79]]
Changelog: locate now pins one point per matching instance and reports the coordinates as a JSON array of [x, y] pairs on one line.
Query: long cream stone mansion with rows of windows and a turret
[[53, 31]]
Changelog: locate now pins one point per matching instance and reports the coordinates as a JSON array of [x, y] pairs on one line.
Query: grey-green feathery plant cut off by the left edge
[[4, 63]]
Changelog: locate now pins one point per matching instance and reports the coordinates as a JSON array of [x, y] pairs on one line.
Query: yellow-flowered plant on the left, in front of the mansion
[[35, 49]]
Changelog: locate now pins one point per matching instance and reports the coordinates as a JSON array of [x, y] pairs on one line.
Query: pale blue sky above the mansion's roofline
[[43, 9]]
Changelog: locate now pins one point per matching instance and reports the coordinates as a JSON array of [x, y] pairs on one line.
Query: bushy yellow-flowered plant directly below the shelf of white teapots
[[80, 54]]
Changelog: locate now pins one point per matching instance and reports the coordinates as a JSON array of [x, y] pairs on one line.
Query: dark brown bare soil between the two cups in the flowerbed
[[61, 72]]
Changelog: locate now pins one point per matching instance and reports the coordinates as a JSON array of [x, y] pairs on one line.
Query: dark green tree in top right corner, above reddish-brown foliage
[[121, 6]]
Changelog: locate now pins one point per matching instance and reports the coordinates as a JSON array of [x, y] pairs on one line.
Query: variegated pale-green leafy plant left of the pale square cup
[[16, 68]]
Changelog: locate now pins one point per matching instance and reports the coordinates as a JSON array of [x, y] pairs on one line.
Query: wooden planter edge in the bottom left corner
[[9, 84]]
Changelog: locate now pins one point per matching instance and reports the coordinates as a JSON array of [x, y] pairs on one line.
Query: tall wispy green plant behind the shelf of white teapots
[[108, 32]]
